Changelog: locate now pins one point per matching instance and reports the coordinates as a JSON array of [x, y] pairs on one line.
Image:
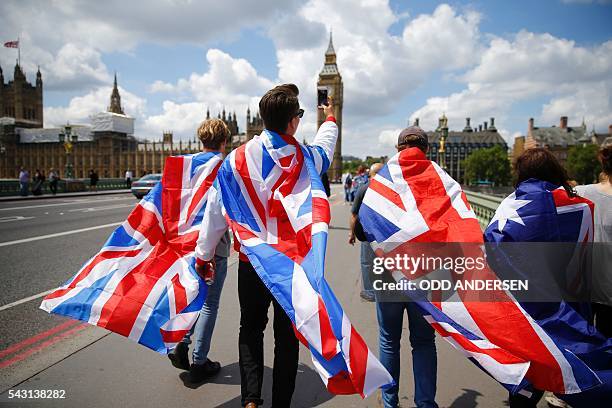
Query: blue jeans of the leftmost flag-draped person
[[205, 324]]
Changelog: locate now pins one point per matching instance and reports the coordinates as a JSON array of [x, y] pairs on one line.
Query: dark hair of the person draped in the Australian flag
[[539, 163]]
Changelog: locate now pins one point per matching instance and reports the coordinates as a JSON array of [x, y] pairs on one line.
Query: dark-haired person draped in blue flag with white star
[[576, 360]]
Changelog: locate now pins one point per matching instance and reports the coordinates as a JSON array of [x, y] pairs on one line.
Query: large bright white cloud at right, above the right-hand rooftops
[[577, 79]]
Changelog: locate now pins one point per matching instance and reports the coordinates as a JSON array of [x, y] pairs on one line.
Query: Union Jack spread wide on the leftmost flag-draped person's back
[[142, 284]]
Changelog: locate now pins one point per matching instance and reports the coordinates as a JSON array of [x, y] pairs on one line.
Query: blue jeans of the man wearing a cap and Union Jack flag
[[424, 360]]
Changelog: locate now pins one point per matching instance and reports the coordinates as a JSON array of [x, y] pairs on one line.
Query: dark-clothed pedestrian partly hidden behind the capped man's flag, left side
[[357, 233]]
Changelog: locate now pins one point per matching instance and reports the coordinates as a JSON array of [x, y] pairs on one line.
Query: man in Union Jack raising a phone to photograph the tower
[[273, 200]]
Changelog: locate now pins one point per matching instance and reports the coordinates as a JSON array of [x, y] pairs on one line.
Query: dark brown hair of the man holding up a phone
[[278, 106]]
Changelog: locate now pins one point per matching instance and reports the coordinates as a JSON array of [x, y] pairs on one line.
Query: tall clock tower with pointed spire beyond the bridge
[[330, 79]]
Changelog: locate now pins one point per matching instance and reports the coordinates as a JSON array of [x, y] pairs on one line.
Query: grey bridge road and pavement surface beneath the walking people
[[95, 368]]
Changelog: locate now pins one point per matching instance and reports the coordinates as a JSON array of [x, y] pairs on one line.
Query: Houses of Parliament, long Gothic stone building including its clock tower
[[108, 144]]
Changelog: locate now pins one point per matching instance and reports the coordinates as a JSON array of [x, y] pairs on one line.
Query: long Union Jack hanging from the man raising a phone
[[278, 210]]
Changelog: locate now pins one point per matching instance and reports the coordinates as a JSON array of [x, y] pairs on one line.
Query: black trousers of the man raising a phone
[[255, 299]]
